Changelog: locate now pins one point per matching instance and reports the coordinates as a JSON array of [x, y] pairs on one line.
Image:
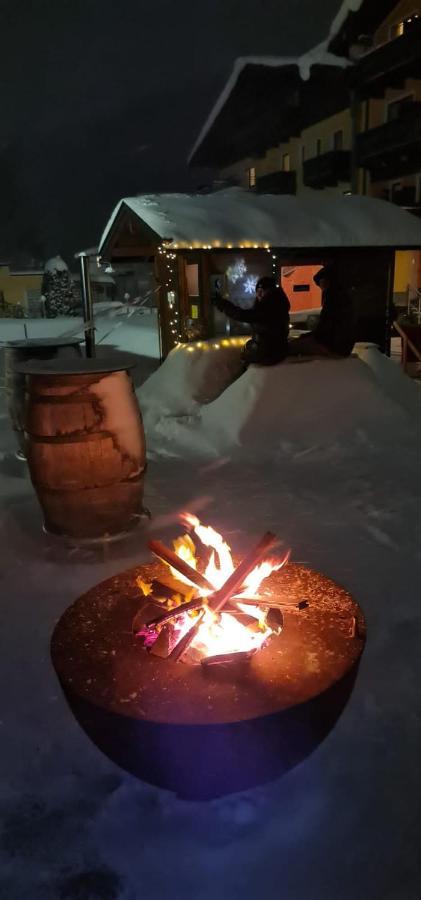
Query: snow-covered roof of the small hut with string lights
[[242, 218]]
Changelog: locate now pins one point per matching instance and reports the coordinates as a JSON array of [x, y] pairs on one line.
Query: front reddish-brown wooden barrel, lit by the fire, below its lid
[[85, 449]]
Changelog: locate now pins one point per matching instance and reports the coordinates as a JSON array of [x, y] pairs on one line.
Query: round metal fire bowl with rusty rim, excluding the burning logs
[[203, 732]]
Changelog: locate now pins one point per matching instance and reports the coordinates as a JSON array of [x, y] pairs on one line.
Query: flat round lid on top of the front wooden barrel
[[78, 365]]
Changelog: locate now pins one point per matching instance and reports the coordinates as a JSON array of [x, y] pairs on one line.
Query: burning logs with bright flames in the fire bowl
[[202, 627]]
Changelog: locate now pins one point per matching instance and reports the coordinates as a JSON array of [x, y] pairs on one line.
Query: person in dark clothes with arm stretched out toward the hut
[[269, 320]]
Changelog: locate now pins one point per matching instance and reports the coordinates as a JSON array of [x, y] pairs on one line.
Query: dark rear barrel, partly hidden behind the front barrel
[[16, 352]]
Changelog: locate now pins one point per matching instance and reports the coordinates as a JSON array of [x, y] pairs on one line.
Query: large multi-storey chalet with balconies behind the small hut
[[344, 118]]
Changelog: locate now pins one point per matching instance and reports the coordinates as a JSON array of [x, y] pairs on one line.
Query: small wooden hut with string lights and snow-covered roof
[[223, 241]]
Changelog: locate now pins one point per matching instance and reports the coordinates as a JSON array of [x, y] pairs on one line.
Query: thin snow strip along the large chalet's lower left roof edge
[[317, 55]]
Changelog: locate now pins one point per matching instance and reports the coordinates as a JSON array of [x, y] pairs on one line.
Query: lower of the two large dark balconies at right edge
[[392, 149]]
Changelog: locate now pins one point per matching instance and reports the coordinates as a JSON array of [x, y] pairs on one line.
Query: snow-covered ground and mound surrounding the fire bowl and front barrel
[[346, 822]]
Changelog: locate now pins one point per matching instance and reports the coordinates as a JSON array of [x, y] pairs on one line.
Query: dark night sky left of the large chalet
[[99, 100]]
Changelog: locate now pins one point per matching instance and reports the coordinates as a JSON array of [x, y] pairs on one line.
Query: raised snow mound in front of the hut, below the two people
[[268, 414]]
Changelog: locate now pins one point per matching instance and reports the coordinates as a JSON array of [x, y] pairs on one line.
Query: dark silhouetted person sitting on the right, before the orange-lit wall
[[334, 334]]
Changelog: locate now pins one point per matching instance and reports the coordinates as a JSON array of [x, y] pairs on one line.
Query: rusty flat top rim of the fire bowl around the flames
[[98, 658]]
